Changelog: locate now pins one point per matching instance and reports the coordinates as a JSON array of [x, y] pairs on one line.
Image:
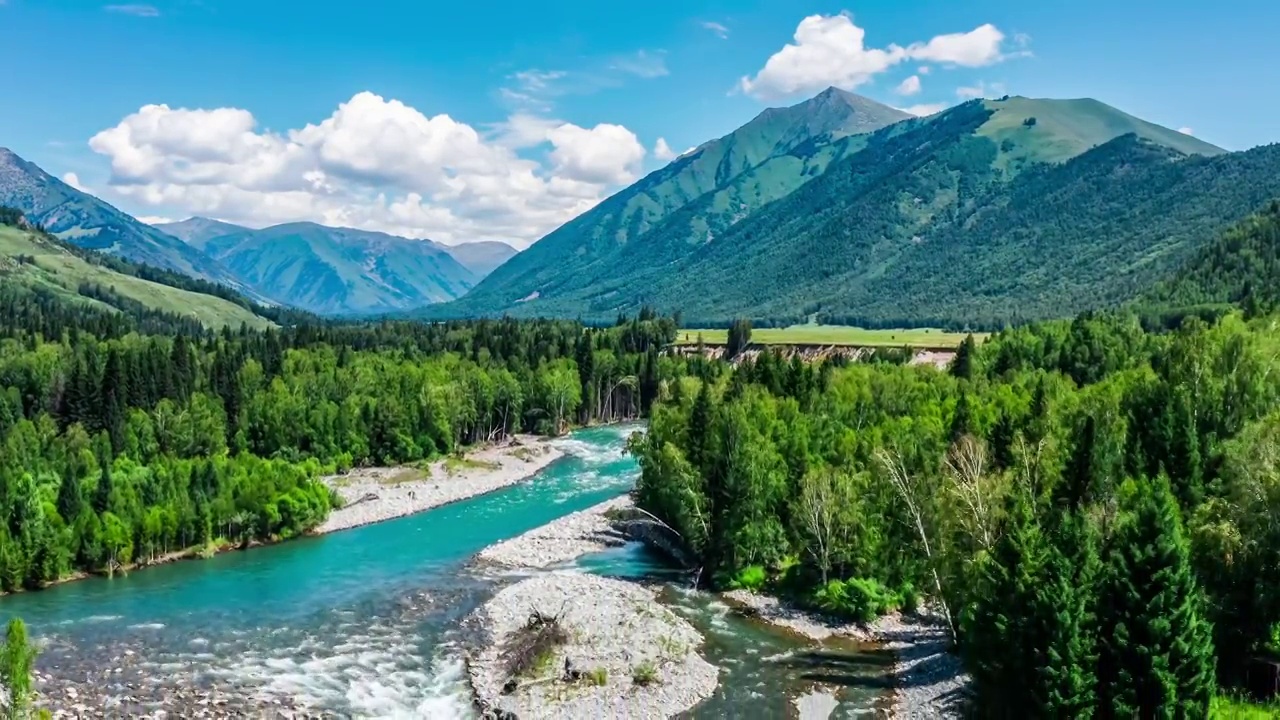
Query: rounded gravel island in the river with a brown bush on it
[[620, 653]]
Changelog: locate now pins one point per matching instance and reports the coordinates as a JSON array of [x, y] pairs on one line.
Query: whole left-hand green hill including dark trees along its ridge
[[38, 268]]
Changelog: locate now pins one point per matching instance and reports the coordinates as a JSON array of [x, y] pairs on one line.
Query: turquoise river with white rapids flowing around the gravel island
[[367, 622]]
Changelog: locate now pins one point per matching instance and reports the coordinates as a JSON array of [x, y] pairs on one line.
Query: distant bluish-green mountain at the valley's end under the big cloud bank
[[340, 271]]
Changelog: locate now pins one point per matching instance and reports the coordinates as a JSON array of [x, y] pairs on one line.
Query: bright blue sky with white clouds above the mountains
[[513, 117]]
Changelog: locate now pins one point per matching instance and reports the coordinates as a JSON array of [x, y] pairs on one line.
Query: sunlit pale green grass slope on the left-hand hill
[[61, 271]]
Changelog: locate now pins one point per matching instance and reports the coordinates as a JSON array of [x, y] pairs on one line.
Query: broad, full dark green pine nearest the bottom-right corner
[[1156, 650]]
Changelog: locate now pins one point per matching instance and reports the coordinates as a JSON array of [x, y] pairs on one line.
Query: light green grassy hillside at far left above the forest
[[33, 261]]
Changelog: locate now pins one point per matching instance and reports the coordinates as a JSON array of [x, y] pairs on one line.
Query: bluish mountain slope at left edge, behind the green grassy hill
[[92, 224]]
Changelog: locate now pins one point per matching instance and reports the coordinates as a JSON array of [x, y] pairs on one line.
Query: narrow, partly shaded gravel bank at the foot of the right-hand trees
[[930, 682]]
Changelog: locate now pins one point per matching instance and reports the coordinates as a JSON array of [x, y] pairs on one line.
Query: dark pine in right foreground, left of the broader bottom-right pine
[[1004, 642]]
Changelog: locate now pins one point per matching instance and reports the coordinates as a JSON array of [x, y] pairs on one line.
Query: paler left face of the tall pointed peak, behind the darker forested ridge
[[770, 157]]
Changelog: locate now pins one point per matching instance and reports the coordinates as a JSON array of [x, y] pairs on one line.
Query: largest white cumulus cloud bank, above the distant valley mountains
[[374, 163]]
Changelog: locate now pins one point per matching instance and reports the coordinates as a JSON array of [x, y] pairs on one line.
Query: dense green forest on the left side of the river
[[130, 434]]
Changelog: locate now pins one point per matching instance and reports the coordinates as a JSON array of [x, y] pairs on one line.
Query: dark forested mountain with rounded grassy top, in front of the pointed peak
[[995, 209]]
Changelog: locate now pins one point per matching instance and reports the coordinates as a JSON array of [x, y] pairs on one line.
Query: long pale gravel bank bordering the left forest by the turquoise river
[[373, 495]]
